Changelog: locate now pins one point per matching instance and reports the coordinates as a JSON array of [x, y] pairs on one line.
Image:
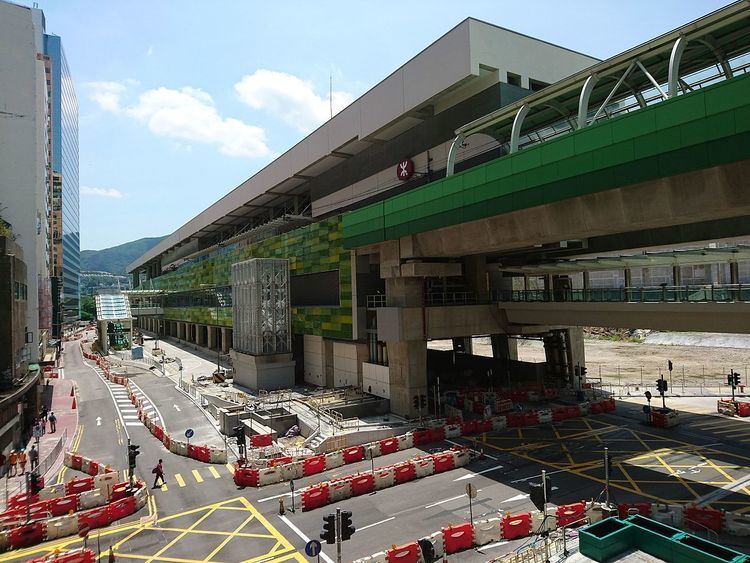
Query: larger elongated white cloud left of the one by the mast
[[187, 114]]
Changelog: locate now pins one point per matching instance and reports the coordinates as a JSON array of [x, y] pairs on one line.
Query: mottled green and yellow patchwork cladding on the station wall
[[315, 248]]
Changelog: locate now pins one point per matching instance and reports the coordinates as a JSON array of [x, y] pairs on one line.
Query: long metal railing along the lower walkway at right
[[726, 293]]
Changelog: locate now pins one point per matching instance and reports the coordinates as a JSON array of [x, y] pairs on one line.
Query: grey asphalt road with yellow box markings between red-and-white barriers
[[202, 516]]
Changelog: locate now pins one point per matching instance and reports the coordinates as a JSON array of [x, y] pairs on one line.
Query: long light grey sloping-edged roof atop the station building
[[464, 61]]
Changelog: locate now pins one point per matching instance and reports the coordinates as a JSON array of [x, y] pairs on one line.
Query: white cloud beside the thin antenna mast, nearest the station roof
[[289, 98]]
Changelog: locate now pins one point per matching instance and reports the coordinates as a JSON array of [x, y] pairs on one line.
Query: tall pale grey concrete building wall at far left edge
[[23, 149]]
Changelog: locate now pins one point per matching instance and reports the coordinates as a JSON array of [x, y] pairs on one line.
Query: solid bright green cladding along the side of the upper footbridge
[[705, 128]]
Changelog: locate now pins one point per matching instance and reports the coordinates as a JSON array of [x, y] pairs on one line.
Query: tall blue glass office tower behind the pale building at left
[[64, 114]]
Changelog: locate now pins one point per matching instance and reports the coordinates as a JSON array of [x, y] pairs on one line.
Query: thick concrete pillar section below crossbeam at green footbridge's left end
[[407, 370]]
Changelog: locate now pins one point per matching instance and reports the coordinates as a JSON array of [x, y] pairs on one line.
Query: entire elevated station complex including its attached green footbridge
[[423, 209]]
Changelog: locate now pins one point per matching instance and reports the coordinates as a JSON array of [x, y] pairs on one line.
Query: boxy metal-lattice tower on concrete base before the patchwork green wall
[[261, 346]]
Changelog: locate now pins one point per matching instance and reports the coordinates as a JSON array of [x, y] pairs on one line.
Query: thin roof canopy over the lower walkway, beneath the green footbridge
[[668, 258]]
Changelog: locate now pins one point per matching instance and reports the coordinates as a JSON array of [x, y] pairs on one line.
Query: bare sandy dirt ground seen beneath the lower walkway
[[627, 362]]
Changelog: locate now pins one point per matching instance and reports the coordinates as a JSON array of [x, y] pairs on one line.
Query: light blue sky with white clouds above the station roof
[[180, 101]]
